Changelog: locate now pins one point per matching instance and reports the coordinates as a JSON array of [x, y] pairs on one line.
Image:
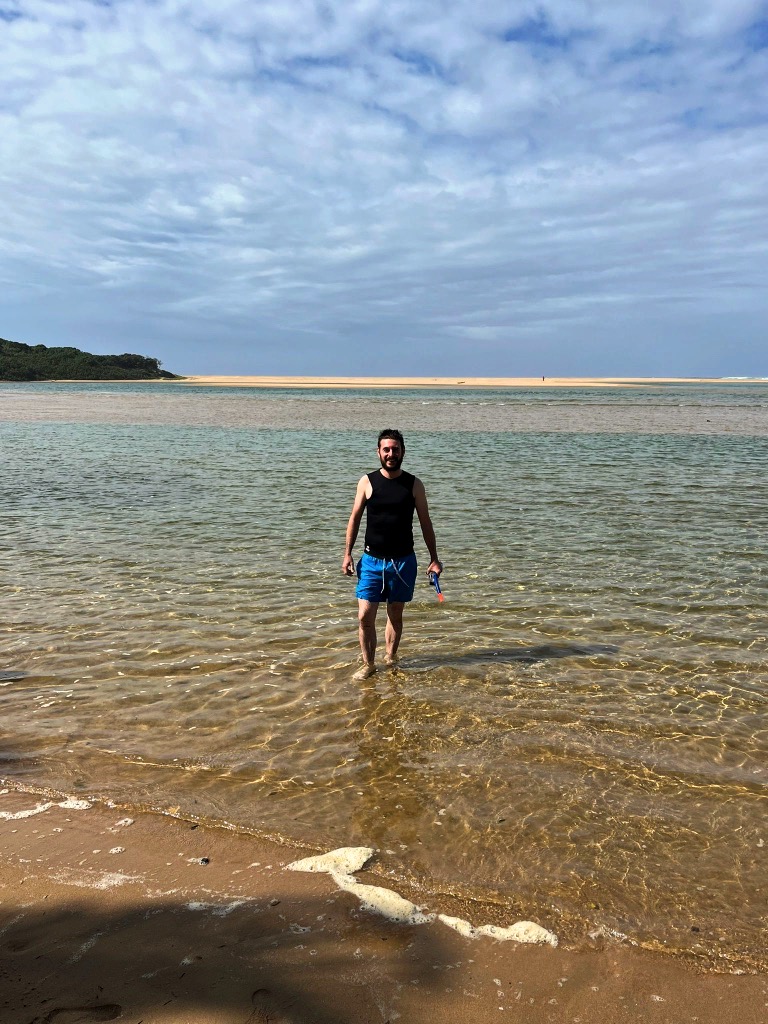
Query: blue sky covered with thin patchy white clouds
[[571, 188]]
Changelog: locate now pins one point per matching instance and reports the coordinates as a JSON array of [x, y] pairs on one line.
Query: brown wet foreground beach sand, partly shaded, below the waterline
[[160, 921]]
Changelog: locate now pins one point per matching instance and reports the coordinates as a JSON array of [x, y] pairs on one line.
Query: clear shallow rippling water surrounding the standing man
[[578, 737]]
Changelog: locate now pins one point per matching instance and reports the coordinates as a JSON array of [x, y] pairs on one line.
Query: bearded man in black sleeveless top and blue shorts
[[388, 569]]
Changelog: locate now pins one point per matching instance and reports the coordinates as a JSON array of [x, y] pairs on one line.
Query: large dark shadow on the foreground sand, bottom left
[[159, 960]]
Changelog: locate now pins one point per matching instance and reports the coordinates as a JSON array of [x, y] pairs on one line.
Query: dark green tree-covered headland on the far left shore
[[38, 363]]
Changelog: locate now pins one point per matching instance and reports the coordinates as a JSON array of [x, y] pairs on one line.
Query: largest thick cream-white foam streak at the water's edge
[[342, 866]]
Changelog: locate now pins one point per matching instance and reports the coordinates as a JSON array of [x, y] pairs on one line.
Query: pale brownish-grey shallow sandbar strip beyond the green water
[[218, 408]]
